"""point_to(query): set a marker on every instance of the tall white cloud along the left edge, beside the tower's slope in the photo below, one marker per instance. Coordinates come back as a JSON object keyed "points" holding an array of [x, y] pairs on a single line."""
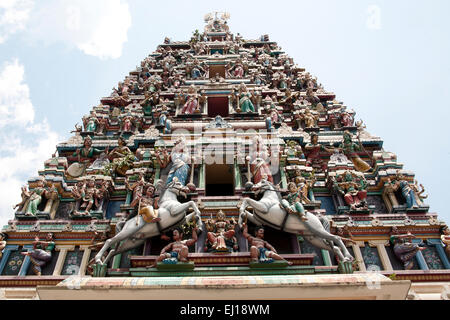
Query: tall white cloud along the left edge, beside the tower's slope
{"points": [[24, 143]]}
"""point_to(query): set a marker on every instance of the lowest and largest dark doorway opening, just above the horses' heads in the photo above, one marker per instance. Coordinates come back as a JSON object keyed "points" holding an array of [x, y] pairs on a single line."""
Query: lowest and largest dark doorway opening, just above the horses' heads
{"points": [[219, 180]]}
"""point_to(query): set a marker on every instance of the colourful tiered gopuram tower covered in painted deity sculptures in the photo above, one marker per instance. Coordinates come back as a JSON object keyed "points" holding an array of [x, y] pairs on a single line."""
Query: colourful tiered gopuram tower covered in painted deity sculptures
{"points": [[167, 184]]}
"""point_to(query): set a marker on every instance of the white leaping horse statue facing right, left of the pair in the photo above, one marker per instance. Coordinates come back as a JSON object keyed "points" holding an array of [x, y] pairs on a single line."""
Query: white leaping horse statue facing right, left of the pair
{"points": [[133, 232]]}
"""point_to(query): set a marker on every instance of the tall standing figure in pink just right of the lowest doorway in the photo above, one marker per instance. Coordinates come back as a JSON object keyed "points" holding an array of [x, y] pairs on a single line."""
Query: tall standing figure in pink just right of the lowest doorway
{"points": [[258, 157]]}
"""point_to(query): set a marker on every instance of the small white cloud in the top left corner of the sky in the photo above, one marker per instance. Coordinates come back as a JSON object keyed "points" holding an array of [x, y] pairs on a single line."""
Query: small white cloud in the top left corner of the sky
{"points": [[14, 15]]}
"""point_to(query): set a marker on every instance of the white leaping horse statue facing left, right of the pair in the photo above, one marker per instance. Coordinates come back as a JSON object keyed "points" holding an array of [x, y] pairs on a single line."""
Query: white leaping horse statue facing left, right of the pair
{"points": [[268, 211]]}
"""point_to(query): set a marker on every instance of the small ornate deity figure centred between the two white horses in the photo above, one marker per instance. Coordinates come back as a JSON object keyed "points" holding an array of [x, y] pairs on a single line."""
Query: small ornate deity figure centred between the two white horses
{"points": [[221, 231]]}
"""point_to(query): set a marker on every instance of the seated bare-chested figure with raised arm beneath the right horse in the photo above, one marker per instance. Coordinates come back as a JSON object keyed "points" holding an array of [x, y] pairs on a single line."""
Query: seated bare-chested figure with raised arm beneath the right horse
{"points": [[261, 251]]}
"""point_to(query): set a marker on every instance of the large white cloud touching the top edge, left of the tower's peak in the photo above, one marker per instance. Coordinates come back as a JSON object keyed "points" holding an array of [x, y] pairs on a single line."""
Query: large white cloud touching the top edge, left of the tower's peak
{"points": [[97, 28]]}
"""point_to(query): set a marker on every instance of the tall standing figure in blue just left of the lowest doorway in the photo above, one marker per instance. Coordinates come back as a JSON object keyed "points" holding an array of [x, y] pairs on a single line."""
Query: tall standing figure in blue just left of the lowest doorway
{"points": [[180, 159]]}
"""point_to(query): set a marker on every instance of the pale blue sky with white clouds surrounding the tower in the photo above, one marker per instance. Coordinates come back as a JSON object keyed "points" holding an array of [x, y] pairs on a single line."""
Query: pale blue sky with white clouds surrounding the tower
{"points": [[388, 60]]}
